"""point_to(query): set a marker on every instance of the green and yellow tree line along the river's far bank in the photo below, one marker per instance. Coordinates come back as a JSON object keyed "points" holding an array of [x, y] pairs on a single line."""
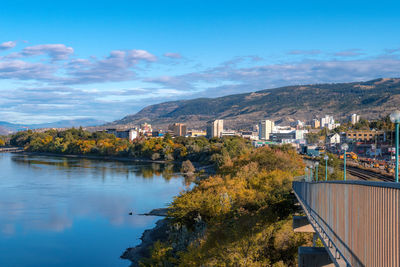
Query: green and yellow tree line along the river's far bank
{"points": [[80, 142]]}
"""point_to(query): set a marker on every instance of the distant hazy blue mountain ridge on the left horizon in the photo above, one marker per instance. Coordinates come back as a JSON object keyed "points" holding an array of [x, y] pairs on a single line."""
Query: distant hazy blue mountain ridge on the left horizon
{"points": [[7, 128]]}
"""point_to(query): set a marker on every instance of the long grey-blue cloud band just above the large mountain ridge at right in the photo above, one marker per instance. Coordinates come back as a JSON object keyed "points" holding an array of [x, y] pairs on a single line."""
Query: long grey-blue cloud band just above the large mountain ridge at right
{"points": [[228, 78]]}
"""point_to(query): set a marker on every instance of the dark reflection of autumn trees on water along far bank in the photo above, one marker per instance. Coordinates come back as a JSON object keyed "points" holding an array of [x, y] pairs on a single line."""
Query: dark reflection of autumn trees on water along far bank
{"points": [[103, 168]]}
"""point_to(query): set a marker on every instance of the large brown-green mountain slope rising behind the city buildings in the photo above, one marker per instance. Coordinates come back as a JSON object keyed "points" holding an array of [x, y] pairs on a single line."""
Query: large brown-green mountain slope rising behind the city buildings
{"points": [[370, 99]]}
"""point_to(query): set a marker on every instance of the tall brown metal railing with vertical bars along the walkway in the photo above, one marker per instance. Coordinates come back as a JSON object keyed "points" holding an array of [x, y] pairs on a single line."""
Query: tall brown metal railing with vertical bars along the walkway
{"points": [[359, 220]]}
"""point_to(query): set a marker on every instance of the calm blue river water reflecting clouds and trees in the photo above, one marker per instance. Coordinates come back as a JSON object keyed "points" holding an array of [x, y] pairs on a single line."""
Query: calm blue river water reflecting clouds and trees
{"points": [[57, 211]]}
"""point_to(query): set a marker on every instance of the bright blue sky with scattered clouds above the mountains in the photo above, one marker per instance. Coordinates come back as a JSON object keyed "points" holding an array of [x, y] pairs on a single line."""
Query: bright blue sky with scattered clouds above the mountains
{"points": [[107, 59]]}
